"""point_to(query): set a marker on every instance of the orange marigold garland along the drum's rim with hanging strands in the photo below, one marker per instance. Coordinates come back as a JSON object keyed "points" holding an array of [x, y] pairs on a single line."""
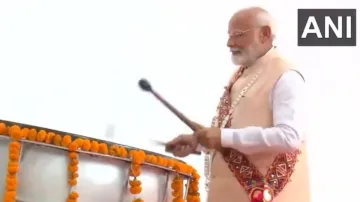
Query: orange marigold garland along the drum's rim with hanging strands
{"points": [[137, 157]]}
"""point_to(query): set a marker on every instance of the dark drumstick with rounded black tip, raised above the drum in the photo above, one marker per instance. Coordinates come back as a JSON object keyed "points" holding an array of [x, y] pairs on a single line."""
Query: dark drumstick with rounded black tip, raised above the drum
{"points": [[146, 86]]}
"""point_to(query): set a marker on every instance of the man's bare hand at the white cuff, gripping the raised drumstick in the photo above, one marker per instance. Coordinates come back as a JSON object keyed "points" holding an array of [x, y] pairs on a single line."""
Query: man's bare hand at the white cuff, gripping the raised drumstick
{"points": [[210, 138]]}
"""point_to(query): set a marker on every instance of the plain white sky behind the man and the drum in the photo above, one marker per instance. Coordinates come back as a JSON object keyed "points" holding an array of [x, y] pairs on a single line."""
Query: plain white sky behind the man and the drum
{"points": [[74, 66]]}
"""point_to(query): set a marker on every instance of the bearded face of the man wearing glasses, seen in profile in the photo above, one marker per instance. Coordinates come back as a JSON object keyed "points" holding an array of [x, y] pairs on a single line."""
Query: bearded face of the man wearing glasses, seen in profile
{"points": [[243, 41]]}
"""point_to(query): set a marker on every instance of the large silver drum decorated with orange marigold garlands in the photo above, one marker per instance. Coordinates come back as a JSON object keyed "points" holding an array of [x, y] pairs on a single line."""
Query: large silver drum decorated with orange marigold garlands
{"points": [[42, 165]]}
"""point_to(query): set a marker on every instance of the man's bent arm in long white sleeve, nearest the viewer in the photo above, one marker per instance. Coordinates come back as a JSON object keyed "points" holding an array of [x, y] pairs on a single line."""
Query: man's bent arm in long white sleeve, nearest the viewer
{"points": [[288, 104]]}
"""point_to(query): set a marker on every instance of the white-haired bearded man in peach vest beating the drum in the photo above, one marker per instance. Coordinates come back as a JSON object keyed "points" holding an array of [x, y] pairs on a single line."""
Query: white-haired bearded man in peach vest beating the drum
{"points": [[254, 144]]}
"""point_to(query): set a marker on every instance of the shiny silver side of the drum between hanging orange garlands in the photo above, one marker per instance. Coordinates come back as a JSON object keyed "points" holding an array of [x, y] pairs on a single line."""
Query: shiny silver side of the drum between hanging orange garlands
{"points": [[43, 176]]}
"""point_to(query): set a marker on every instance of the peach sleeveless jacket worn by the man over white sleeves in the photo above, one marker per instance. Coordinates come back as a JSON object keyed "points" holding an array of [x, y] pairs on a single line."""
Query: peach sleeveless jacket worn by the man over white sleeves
{"points": [[280, 177]]}
